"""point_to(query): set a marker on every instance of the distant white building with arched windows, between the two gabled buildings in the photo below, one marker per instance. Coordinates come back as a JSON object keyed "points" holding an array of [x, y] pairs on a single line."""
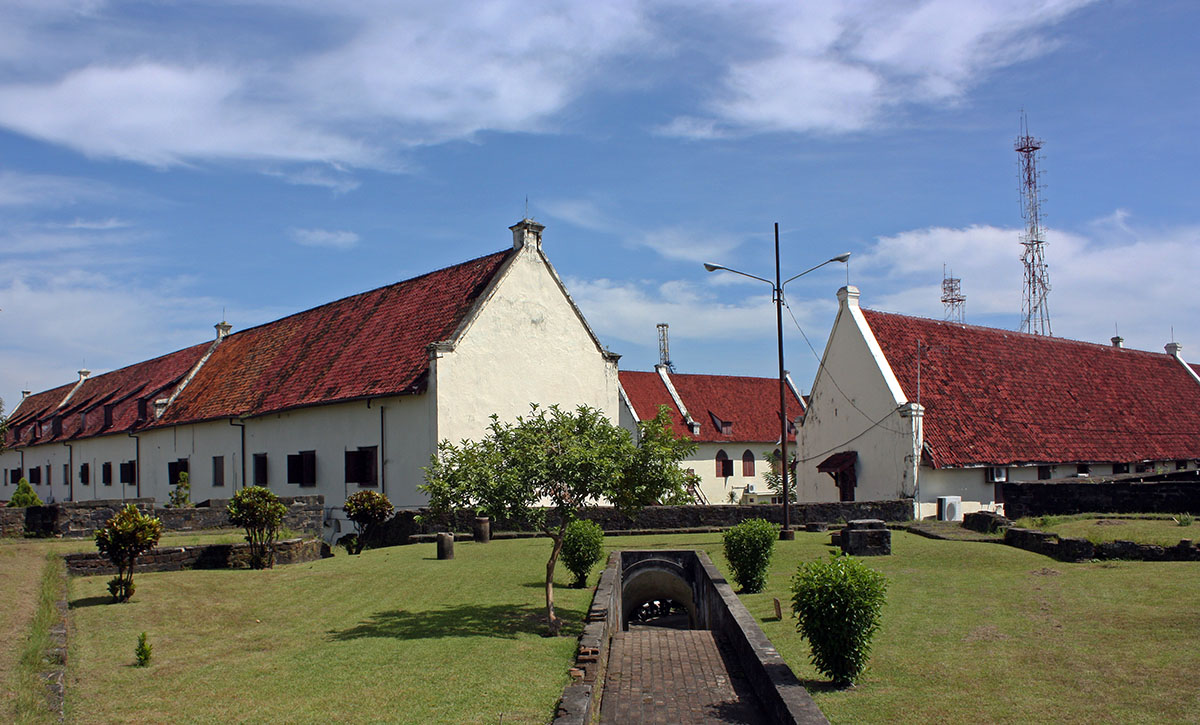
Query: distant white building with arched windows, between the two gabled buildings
{"points": [[734, 421]]}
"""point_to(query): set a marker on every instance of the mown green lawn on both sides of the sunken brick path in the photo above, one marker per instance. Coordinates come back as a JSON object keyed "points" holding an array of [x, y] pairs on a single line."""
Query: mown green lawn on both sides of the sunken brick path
{"points": [[973, 633]]}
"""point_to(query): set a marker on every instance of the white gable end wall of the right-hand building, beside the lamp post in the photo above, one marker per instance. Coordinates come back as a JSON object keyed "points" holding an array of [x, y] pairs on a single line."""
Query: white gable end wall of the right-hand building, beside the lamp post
{"points": [[857, 405]]}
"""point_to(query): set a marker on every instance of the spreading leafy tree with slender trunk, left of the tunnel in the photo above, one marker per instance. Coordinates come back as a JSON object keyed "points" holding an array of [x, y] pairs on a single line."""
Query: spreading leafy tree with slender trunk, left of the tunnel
{"points": [[566, 460]]}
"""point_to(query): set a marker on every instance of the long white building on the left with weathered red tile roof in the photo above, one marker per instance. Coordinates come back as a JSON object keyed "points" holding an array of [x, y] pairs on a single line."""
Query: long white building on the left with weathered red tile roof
{"points": [[350, 396]]}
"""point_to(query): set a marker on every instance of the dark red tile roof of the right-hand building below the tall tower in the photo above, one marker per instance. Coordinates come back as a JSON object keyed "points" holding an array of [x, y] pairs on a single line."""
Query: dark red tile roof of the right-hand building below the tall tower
{"points": [[999, 398]]}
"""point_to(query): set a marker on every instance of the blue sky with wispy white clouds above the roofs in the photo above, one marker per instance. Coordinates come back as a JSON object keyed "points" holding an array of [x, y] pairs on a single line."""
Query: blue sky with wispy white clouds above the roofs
{"points": [[163, 163]]}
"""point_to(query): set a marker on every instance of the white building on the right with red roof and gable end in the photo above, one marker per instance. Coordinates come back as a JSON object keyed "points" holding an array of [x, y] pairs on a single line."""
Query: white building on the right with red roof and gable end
{"points": [[911, 408]]}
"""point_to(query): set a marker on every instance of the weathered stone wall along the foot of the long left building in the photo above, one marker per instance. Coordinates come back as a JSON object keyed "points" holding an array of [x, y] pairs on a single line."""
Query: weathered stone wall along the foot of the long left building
{"points": [[83, 518]]}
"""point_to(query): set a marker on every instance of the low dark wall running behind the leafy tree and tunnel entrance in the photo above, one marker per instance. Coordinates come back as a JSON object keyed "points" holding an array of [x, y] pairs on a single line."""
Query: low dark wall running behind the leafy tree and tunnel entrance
{"points": [[405, 525]]}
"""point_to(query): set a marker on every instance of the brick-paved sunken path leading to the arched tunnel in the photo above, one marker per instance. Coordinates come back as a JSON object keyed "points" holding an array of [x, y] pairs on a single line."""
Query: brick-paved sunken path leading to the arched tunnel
{"points": [[674, 676]]}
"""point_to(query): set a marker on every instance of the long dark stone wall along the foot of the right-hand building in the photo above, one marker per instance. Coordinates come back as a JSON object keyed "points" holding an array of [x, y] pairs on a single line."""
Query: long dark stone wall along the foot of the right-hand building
{"points": [[1107, 498]]}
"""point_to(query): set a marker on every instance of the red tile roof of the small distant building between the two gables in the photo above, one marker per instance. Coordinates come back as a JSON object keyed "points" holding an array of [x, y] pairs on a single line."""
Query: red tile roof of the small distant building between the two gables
{"points": [[752, 405]]}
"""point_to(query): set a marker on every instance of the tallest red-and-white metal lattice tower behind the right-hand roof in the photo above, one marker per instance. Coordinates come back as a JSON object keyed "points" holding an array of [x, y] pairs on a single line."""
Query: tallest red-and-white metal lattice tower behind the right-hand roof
{"points": [[1035, 313]]}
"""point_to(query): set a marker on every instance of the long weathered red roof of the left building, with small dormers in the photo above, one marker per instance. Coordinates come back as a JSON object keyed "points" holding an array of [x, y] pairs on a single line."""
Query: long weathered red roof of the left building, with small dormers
{"points": [[363, 346]]}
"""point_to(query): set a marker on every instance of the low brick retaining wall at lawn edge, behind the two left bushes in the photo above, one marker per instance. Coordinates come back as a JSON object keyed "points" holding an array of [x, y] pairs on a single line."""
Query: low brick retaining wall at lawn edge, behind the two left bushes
{"points": [[209, 556]]}
